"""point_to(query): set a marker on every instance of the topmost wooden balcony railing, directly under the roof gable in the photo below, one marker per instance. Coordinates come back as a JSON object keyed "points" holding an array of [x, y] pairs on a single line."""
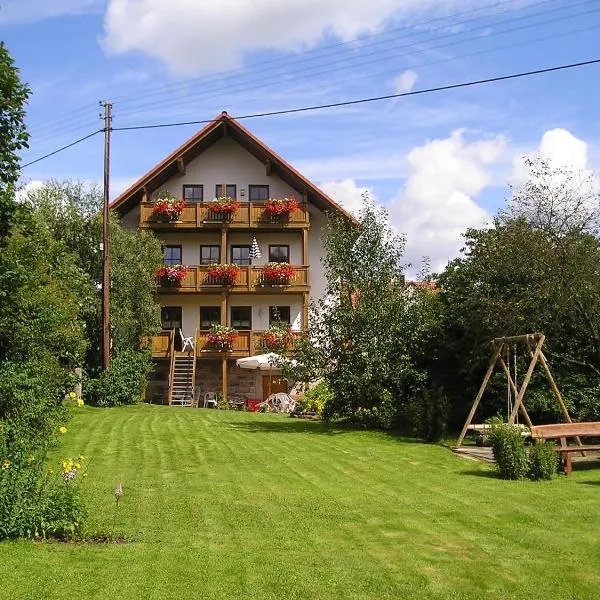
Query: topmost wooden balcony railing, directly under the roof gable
{"points": [[198, 216]]}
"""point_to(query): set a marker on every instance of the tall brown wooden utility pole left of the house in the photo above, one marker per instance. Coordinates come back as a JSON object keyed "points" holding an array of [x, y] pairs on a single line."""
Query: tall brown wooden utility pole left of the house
{"points": [[105, 241]]}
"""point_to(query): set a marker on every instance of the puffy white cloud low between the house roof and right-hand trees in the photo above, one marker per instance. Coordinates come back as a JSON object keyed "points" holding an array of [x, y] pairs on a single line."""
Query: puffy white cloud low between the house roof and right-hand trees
{"points": [[437, 202]]}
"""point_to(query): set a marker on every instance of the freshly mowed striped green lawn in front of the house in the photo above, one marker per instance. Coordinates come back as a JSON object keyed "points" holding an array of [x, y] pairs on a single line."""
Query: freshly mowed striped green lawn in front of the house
{"points": [[241, 505]]}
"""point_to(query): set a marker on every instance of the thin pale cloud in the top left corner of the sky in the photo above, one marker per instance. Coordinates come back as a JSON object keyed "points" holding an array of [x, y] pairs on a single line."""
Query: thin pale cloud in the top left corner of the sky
{"points": [[27, 11]]}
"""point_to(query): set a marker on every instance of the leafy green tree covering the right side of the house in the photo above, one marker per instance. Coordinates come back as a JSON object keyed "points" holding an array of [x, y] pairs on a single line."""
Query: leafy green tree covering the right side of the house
{"points": [[364, 335]]}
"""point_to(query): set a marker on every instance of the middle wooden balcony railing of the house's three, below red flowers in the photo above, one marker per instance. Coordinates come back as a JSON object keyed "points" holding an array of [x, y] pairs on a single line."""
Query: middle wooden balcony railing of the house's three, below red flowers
{"points": [[250, 279]]}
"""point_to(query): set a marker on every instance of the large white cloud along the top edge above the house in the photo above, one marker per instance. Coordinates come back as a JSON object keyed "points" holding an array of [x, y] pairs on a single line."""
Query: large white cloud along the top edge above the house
{"points": [[194, 37]]}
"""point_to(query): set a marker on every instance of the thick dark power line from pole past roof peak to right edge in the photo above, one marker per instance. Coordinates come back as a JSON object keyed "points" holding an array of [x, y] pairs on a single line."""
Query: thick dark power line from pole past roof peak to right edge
{"points": [[375, 98]]}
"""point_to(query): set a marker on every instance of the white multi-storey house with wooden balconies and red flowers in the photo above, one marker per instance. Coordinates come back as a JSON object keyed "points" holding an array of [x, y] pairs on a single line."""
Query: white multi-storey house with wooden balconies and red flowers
{"points": [[268, 217]]}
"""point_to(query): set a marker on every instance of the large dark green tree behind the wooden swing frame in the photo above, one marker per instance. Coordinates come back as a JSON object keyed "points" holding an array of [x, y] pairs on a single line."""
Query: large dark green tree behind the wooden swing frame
{"points": [[535, 270]]}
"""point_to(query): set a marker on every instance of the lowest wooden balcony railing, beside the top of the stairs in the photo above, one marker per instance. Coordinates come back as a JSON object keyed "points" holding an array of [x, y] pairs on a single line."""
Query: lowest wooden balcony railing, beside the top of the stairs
{"points": [[246, 343]]}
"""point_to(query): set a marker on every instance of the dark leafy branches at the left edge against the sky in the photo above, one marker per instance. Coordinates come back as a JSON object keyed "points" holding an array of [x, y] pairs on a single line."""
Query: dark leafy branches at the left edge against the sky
{"points": [[13, 135]]}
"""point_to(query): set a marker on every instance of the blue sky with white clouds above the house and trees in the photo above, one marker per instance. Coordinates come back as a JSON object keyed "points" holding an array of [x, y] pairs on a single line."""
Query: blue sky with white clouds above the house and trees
{"points": [[438, 162]]}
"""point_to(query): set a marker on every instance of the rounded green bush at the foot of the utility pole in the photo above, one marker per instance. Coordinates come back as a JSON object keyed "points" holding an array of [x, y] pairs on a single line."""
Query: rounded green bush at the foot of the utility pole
{"points": [[123, 383]]}
